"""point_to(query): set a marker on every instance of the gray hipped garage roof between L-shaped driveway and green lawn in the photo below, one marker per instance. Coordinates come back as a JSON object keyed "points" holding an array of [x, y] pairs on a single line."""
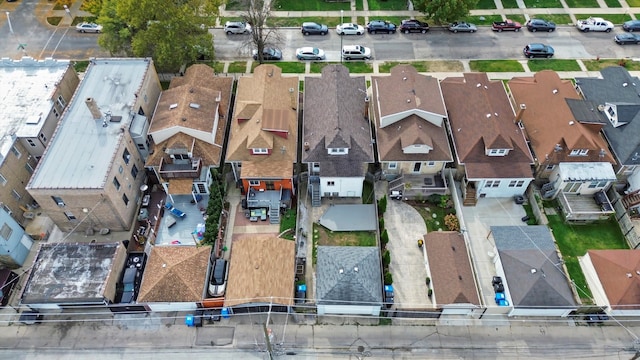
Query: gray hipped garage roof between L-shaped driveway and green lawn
{"points": [[532, 267]]}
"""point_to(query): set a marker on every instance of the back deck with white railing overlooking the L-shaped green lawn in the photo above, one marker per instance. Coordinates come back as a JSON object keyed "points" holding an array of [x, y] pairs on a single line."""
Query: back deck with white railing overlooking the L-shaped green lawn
{"points": [[585, 208]]}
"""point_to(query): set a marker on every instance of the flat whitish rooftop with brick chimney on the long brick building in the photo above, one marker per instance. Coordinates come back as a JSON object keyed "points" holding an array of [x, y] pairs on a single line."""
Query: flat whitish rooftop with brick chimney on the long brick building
{"points": [[82, 149]]}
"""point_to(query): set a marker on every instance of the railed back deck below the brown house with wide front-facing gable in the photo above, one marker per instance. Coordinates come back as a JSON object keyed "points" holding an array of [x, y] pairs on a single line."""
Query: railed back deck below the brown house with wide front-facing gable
{"points": [[419, 186]]}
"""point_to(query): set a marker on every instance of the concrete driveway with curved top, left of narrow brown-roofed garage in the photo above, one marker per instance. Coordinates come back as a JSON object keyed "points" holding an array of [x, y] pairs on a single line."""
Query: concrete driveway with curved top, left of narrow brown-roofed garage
{"points": [[405, 226]]}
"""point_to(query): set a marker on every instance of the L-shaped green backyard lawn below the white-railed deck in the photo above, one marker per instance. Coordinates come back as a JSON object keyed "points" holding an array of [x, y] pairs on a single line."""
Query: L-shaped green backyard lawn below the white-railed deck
{"points": [[576, 240]]}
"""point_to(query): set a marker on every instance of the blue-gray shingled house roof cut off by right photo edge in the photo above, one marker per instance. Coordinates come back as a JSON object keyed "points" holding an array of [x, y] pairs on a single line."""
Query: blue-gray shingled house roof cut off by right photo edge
{"points": [[624, 139]]}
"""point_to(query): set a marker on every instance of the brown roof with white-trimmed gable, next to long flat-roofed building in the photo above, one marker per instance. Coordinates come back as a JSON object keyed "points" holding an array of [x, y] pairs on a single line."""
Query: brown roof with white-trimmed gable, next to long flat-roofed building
{"points": [[192, 97]]}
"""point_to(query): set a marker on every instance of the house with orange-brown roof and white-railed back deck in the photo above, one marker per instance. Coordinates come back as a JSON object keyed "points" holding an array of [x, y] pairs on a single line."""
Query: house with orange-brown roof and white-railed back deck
{"points": [[563, 128]]}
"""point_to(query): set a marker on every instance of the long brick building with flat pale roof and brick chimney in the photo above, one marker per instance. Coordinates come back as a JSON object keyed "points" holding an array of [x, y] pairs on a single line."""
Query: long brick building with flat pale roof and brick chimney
{"points": [[89, 177]]}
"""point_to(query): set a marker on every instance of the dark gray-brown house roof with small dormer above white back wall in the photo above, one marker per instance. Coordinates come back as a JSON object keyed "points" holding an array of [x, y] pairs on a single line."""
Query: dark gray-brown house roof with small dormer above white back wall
{"points": [[334, 117]]}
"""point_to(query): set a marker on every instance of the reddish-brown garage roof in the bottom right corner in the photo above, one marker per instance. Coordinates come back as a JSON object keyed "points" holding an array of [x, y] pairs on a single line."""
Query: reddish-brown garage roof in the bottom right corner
{"points": [[617, 272]]}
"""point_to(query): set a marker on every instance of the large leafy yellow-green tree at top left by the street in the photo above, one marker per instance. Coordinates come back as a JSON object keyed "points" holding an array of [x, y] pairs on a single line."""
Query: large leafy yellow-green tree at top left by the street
{"points": [[172, 34]]}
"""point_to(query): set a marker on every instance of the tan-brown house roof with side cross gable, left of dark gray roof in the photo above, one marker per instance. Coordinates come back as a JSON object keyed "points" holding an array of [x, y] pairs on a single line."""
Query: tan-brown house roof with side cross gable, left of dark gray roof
{"points": [[267, 106]]}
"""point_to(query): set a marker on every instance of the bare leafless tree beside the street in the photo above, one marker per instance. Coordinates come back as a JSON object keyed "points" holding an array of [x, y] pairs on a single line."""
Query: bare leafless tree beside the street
{"points": [[261, 36]]}
